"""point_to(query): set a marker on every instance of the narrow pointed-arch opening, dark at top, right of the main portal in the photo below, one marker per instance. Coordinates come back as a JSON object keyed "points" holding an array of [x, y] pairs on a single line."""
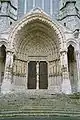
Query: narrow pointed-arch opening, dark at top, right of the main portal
{"points": [[72, 67]]}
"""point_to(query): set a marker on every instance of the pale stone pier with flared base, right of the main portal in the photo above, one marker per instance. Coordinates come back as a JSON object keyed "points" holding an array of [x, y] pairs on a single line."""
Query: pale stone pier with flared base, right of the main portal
{"points": [[66, 86]]}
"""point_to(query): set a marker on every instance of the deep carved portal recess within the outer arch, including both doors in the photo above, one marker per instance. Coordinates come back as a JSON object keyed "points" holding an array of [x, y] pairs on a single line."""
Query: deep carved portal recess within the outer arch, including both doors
{"points": [[37, 59]]}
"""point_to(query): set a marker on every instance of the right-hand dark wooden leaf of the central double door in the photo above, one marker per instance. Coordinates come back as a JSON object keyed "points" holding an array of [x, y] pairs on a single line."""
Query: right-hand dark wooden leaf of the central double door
{"points": [[43, 75]]}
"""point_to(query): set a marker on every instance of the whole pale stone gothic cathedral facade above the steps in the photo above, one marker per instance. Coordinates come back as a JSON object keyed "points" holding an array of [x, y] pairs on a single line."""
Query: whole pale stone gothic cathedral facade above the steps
{"points": [[40, 46]]}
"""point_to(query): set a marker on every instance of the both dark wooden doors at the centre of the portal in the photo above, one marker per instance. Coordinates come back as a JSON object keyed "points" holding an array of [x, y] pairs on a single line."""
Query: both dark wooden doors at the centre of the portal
{"points": [[42, 75]]}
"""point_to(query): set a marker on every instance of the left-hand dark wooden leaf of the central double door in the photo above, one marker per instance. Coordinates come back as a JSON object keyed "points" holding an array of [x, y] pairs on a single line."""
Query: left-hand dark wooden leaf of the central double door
{"points": [[32, 75]]}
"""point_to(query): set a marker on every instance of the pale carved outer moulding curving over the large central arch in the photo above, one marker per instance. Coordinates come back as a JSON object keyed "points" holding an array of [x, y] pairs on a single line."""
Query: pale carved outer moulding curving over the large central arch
{"points": [[31, 18]]}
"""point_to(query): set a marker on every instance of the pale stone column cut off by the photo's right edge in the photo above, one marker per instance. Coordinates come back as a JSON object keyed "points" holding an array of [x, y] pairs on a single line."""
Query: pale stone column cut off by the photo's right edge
{"points": [[78, 70]]}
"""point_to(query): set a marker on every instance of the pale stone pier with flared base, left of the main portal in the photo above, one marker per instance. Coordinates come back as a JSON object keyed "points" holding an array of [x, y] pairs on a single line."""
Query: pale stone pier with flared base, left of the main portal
{"points": [[6, 85]]}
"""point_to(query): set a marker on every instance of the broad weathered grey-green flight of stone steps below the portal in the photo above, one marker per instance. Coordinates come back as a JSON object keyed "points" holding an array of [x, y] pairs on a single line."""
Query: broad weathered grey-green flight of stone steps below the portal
{"points": [[22, 104]]}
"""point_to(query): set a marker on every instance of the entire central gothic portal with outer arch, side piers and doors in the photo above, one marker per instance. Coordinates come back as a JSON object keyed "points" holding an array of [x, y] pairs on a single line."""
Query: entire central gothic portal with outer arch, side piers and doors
{"points": [[36, 46]]}
